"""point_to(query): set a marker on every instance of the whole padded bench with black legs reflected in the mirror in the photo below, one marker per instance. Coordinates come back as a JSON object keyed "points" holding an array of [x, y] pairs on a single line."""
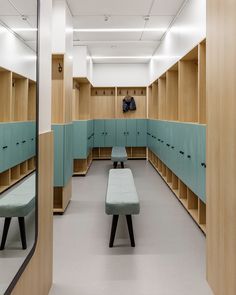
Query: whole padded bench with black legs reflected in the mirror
{"points": [[18, 202]]}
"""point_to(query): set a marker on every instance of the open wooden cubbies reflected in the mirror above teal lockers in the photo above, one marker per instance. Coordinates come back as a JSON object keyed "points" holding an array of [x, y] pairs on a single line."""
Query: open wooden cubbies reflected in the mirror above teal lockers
{"points": [[17, 97]]}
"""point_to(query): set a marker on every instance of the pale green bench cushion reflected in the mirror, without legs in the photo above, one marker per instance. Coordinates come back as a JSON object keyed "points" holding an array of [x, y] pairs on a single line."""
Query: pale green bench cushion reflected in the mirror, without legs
{"points": [[19, 201]]}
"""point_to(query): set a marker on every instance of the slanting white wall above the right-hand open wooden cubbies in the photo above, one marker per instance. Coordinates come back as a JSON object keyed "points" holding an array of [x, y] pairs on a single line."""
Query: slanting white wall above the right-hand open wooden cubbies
{"points": [[188, 30]]}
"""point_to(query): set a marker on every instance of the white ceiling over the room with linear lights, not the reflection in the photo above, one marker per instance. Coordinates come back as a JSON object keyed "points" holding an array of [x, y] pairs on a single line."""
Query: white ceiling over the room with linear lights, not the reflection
{"points": [[90, 14]]}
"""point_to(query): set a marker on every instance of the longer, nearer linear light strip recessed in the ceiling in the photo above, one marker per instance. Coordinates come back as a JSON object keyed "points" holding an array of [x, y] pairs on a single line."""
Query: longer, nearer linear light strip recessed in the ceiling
{"points": [[124, 30]]}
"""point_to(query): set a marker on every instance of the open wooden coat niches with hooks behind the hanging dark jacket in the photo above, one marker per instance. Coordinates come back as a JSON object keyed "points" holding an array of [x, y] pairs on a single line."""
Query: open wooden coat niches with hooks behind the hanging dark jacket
{"points": [[106, 102]]}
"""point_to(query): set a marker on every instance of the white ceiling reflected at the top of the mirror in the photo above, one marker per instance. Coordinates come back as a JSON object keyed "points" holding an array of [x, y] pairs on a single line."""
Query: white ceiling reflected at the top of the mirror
{"points": [[20, 14]]}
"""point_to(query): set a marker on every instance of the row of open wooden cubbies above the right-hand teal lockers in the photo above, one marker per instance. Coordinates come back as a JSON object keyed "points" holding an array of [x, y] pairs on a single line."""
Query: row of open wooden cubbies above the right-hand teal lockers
{"points": [[180, 93]]}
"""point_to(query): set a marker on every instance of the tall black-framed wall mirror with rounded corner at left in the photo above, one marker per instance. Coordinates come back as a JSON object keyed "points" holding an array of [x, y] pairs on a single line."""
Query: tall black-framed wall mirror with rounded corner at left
{"points": [[18, 140]]}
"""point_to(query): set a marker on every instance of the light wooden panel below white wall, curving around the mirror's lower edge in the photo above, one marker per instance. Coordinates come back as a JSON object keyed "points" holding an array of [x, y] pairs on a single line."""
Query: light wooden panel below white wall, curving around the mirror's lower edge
{"points": [[37, 277]]}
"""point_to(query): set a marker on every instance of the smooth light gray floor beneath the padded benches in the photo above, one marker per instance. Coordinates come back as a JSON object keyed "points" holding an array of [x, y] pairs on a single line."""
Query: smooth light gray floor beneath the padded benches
{"points": [[169, 258]]}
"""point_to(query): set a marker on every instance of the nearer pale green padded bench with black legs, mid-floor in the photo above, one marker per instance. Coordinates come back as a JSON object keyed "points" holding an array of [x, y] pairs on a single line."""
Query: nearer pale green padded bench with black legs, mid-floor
{"points": [[121, 199]]}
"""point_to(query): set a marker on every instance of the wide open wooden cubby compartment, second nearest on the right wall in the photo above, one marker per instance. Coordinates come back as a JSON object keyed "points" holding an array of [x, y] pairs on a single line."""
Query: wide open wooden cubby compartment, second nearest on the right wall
{"points": [[188, 87]]}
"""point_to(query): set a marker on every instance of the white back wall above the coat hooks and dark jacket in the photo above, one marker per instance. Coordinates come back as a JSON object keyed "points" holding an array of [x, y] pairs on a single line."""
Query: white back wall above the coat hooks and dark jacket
{"points": [[120, 75]]}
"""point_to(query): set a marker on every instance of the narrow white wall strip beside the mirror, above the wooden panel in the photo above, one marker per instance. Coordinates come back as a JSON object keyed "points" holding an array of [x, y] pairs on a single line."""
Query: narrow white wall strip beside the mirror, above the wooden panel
{"points": [[45, 52]]}
